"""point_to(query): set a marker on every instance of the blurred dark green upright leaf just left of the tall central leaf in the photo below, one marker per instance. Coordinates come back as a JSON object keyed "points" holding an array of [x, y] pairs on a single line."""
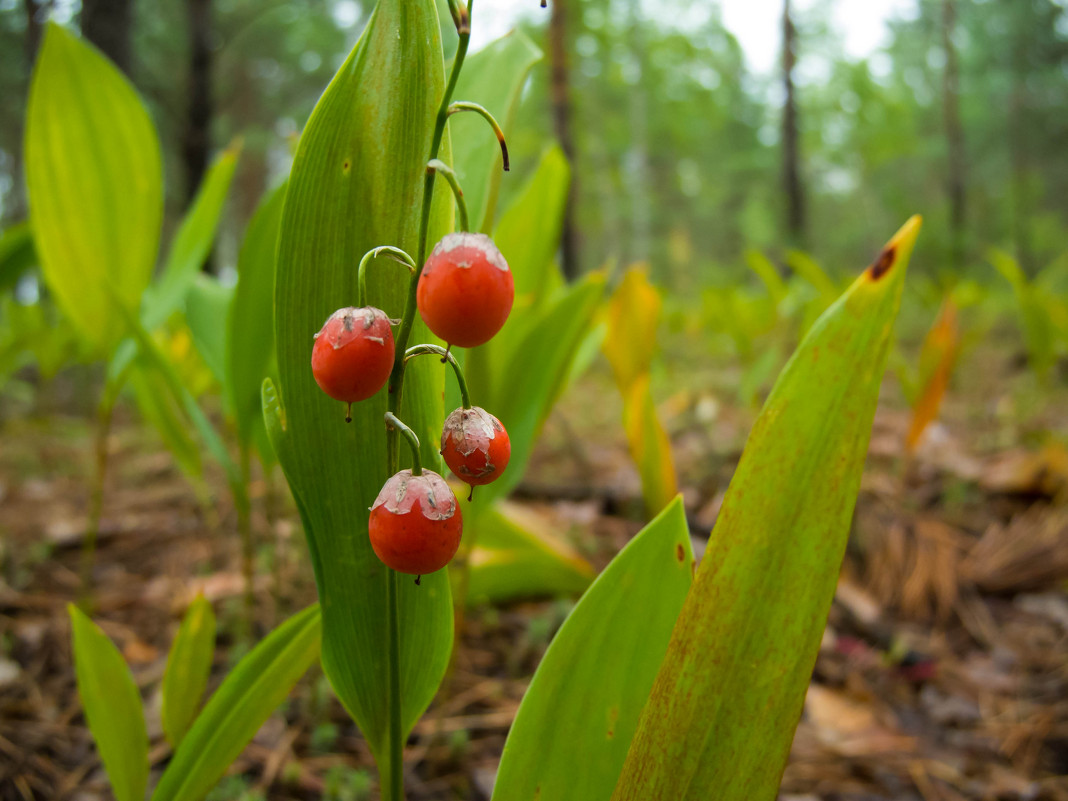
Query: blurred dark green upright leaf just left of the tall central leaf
{"points": [[250, 343]]}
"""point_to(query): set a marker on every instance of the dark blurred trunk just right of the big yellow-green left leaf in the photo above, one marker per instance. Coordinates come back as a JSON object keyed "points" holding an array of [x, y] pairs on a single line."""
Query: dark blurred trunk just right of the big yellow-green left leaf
{"points": [[197, 145]]}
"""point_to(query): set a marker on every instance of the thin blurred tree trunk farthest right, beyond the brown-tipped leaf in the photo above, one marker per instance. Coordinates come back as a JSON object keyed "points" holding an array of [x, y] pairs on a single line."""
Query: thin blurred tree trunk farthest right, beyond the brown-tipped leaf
{"points": [[954, 138]]}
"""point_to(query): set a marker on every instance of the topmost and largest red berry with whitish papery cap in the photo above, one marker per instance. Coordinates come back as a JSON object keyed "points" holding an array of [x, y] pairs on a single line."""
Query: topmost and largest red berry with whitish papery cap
{"points": [[466, 290]]}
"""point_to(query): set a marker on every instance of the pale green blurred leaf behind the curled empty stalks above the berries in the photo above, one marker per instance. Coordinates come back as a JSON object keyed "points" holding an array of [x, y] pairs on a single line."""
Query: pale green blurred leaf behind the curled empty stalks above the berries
{"points": [[494, 78]]}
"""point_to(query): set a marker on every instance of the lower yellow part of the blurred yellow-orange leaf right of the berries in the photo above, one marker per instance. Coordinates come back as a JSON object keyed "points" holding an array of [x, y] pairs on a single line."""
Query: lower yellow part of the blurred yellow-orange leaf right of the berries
{"points": [[650, 446]]}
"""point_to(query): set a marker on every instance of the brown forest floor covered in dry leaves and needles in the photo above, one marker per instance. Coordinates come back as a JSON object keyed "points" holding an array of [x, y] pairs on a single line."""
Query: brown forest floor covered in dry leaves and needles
{"points": [[944, 674]]}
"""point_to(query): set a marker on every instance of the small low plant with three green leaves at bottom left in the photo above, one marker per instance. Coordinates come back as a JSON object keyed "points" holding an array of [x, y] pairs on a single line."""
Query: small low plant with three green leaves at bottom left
{"points": [[205, 744]]}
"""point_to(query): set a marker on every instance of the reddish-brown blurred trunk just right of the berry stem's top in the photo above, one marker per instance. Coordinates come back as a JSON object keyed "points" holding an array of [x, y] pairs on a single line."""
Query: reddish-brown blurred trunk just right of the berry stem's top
{"points": [[561, 102]]}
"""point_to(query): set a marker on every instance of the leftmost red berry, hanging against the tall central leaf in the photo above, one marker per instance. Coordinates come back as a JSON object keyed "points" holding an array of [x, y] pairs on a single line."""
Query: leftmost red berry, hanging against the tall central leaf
{"points": [[354, 354]]}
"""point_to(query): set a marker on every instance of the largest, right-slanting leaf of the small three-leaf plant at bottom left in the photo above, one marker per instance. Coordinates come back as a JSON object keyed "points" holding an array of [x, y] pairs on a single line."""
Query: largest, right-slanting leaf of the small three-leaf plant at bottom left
{"points": [[246, 699]]}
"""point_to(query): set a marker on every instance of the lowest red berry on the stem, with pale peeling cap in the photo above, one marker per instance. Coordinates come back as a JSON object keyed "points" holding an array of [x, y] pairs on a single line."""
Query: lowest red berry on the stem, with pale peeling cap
{"points": [[416, 524]]}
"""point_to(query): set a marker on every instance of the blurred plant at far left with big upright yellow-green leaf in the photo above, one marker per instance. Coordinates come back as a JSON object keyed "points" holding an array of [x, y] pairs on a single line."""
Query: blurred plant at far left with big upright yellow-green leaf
{"points": [[95, 179]]}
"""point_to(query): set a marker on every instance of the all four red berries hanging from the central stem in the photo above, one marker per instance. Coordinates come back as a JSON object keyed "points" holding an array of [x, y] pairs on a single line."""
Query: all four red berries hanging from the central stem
{"points": [[464, 296]]}
